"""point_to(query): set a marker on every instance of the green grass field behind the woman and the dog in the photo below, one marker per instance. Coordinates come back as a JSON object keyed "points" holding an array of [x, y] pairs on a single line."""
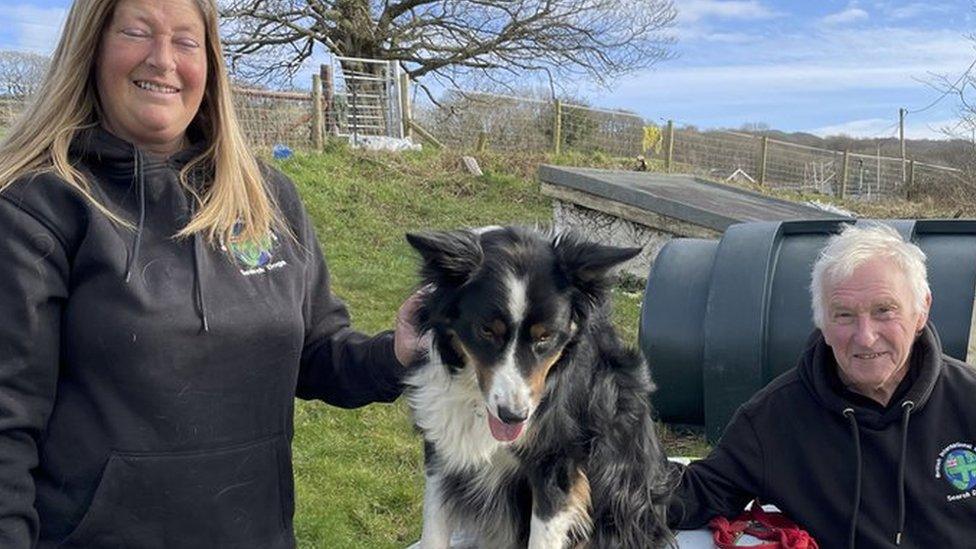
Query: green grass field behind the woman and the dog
{"points": [[358, 473]]}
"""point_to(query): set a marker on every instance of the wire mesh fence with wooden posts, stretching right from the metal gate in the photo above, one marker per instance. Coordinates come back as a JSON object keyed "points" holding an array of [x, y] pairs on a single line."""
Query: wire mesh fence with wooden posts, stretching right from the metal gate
{"points": [[477, 121]]}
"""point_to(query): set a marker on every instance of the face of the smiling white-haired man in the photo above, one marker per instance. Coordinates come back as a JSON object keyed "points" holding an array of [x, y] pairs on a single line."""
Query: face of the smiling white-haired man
{"points": [[871, 324]]}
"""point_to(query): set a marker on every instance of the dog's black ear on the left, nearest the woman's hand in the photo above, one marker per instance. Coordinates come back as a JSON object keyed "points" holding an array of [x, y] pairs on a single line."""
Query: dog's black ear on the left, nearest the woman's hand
{"points": [[450, 257]]}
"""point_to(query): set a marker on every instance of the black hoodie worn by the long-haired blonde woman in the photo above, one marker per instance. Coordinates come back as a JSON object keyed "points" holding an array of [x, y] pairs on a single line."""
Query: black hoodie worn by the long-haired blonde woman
{"points": [[147, 383]]}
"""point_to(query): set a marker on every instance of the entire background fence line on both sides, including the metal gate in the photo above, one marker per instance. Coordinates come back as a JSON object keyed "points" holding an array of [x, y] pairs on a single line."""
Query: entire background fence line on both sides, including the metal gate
{"points": [[360, 97]]}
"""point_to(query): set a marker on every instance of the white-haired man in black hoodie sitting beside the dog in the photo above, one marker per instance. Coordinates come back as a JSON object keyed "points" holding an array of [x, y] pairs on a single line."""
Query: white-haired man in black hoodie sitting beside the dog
{"points": [[871, 440]]}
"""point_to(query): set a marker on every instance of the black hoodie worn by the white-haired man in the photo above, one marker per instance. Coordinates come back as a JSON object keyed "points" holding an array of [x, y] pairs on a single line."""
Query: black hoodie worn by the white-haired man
{"points": [[835, 461]]}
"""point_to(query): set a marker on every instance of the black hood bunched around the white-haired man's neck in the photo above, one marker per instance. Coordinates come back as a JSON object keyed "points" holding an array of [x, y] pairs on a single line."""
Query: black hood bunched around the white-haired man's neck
{"points": [[817, 365]]}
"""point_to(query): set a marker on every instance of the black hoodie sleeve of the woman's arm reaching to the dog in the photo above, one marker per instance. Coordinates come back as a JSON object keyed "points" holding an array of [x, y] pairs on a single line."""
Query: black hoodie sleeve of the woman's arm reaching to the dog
{"points": [[339, 365]]}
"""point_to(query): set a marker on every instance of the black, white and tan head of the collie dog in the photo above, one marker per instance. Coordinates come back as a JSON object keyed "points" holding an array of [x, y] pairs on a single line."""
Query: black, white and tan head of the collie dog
{"points": [[506, 302]]}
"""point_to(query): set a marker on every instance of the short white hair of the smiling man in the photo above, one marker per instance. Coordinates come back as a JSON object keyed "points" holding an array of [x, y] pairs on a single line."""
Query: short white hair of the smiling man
{"points": [[857, 245]]}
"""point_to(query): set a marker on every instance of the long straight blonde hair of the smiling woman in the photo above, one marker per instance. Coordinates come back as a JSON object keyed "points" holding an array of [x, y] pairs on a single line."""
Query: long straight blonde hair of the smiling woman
{"points": [[67, 103]]}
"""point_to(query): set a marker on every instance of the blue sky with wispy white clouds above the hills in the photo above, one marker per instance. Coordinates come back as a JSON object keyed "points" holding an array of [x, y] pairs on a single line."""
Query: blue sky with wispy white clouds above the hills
{"points": [[820, 66]]}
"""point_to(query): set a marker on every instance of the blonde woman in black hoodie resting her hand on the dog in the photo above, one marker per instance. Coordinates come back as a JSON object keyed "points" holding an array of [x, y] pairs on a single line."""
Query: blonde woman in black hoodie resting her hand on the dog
{"points": [[164, 300]]}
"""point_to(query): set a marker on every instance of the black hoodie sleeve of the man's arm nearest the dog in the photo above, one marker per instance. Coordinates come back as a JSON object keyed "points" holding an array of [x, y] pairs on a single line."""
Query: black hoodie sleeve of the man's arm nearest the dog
{"points": [[722, 483]]}
